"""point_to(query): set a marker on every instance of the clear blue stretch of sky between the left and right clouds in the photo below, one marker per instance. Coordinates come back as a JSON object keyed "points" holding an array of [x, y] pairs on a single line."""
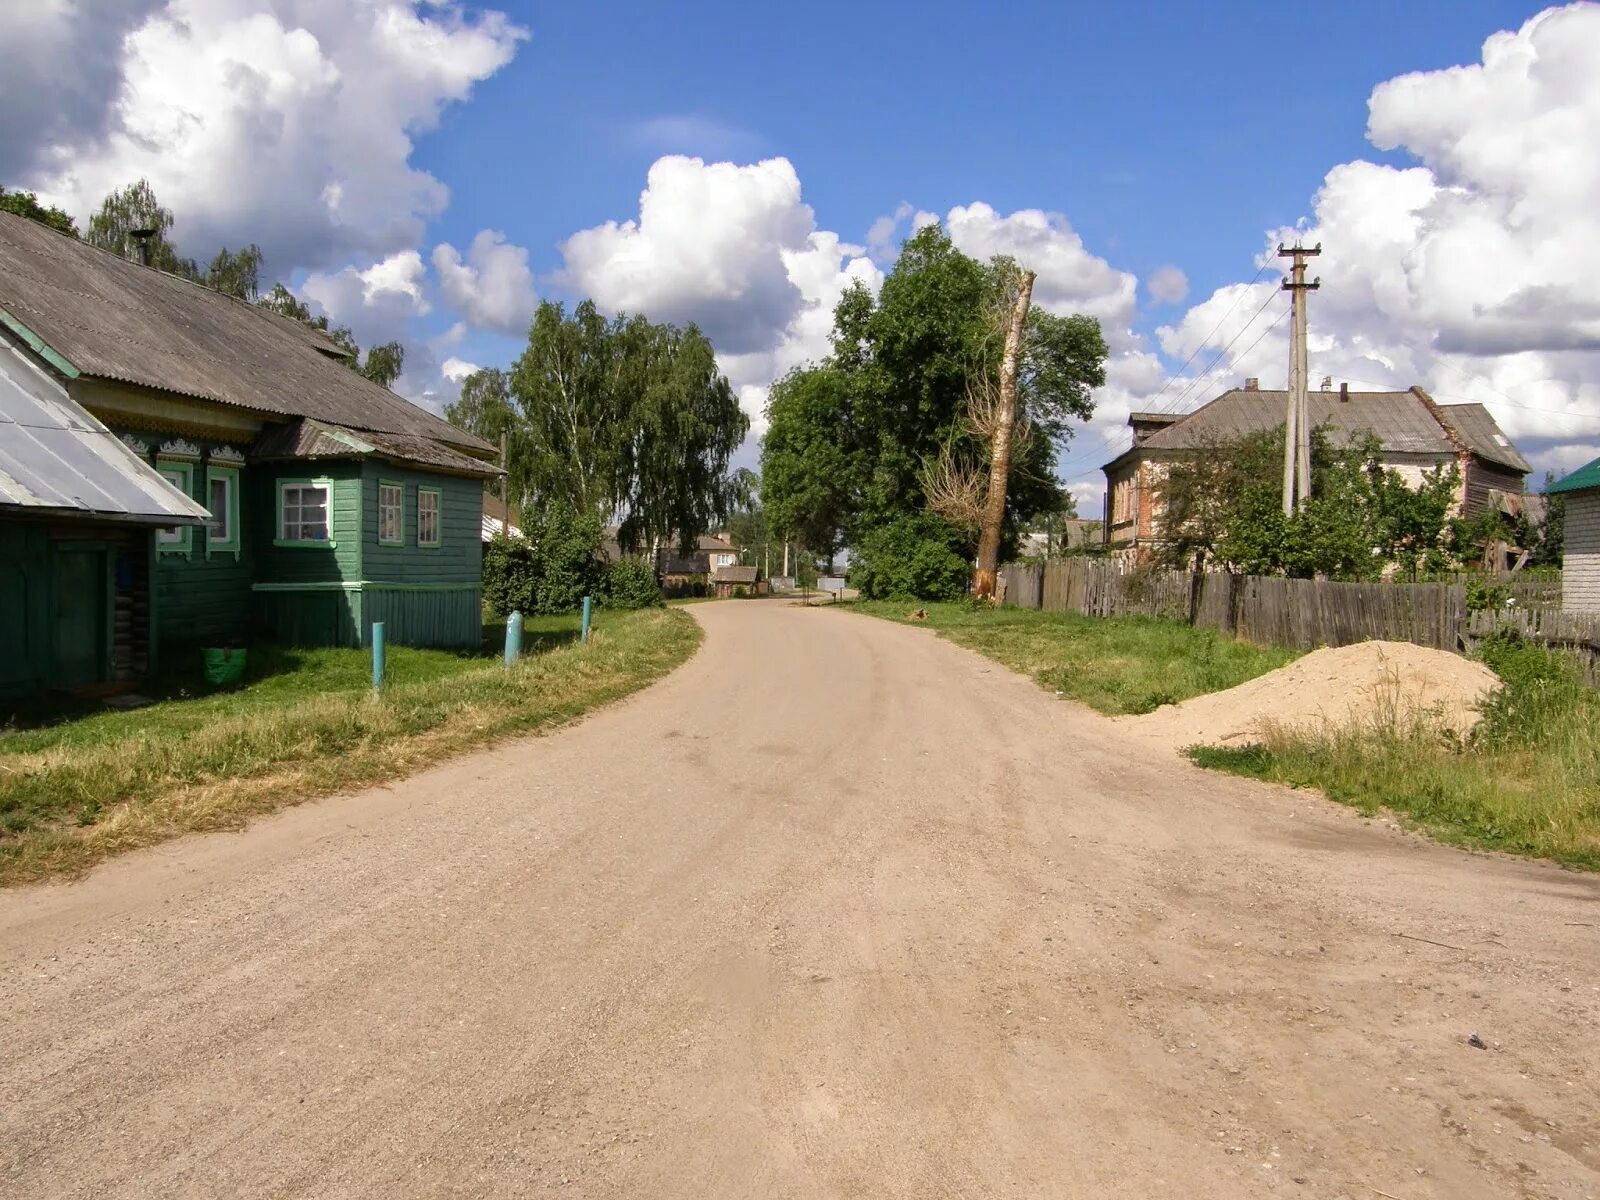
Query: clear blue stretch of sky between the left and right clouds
{"points": [[1167, 134]]}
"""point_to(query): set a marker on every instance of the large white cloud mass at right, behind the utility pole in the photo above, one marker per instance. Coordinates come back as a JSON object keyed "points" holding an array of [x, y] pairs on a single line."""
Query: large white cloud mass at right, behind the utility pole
{"points": [[1476, 271]]}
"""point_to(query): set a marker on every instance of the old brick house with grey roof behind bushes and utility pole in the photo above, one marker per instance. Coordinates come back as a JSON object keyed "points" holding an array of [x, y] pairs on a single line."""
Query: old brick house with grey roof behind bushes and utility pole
{"points": [[1415, 431]]}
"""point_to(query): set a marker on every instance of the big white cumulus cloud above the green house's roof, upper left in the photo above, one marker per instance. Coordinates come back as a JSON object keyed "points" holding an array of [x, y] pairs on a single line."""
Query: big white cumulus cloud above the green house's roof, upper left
{"points": [[274, 122]]}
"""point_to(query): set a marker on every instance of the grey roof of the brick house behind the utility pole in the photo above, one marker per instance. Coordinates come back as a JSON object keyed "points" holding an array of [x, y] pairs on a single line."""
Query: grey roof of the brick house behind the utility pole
{"points": [[1401, 420]]}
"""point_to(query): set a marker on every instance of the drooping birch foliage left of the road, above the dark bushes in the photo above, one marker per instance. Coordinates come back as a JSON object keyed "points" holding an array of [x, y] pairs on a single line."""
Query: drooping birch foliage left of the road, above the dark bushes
{"points": [[625, 418]]}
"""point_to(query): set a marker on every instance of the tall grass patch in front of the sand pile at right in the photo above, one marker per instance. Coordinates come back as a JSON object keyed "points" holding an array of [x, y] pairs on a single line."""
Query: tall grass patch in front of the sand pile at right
{"points": [[1527, 782]]}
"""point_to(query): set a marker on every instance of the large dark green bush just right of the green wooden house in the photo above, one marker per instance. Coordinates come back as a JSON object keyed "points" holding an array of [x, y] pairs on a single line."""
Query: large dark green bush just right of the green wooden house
{"points": [[550, 570]]}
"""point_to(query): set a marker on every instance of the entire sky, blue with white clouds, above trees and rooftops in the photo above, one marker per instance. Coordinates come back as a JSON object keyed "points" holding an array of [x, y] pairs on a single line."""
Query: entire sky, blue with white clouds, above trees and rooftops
{"points": [[426, 172]]}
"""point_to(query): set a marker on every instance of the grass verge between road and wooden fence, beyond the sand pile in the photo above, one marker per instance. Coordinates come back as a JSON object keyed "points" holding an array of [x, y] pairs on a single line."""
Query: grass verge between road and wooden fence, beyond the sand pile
{"points": [[1126, 665]]}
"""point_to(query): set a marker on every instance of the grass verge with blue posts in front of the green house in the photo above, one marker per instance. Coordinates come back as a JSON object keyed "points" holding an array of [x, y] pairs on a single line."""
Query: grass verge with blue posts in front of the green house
{"points": [[78, 791]]}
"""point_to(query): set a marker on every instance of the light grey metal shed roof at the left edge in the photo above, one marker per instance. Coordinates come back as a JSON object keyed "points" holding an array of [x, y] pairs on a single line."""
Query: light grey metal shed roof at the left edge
{"points": [[58, 458]]}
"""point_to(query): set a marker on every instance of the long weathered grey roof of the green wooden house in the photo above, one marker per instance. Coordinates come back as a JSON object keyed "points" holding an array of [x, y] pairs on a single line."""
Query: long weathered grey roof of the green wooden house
{"points": [[119, 321]]}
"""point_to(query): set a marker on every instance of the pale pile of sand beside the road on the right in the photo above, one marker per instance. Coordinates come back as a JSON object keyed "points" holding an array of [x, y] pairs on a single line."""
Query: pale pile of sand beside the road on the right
{"points": [[1369, 684]]}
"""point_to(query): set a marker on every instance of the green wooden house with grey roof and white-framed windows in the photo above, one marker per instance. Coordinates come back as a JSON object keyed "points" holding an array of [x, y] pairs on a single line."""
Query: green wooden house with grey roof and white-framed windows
{"points": [[329, 503]]}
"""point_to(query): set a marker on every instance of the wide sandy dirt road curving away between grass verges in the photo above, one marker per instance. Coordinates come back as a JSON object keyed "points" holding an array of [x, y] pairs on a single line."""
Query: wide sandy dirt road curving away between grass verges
{"points": [[836, 911]]}
